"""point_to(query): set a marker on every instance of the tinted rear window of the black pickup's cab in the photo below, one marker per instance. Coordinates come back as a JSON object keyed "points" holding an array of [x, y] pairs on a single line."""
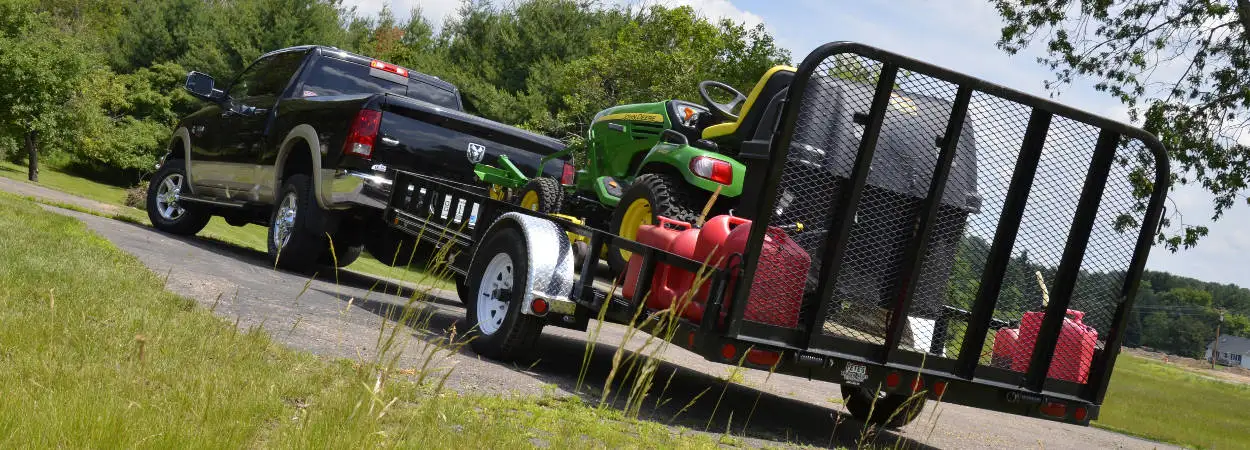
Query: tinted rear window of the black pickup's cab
{"points": [[334, 77]]}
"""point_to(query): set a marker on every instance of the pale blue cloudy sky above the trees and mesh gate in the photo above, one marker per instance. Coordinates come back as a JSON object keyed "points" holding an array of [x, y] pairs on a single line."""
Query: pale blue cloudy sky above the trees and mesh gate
{"points": [[959, 36]]}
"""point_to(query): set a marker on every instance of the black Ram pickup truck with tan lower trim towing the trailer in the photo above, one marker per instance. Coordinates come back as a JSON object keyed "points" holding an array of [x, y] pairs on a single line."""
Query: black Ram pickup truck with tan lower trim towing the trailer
{"points": [[302, 143]]}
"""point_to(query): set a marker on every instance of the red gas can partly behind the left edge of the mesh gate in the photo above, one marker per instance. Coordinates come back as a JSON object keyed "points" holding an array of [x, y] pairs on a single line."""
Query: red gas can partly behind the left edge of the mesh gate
{"points": [[777, 293]]}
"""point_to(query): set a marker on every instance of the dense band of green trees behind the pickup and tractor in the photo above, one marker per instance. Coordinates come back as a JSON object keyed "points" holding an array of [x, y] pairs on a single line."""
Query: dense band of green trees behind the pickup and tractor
{"points": [[542, 64]]}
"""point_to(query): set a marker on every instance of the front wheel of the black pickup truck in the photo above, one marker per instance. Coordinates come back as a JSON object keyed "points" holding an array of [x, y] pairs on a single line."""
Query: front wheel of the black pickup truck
{"points": [[164, 209]]}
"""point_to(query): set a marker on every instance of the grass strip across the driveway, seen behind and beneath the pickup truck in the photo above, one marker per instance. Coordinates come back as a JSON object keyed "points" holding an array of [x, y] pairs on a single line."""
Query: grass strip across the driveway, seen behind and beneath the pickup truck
{"points": [[249, 237]]}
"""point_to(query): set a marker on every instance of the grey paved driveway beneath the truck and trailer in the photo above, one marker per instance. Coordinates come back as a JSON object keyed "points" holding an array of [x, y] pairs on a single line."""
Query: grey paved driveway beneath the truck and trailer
{"points": [[343, 318]]}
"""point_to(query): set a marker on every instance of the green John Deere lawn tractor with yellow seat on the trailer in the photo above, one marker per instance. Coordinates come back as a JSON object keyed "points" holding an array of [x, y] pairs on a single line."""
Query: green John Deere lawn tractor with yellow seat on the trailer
{"points": [[644, 161]]}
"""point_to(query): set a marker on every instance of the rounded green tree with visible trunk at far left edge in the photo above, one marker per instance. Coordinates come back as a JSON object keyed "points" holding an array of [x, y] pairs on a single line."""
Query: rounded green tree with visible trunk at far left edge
{"points": [[41, 71]]}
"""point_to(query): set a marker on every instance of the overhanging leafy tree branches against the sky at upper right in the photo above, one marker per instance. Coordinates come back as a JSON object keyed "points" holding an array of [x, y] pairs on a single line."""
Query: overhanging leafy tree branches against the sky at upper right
{"points": [[1182, 68]]}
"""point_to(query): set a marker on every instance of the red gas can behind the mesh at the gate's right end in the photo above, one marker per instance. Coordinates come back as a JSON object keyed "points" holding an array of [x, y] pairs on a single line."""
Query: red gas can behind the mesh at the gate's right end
{"points": [[1073, 353]]}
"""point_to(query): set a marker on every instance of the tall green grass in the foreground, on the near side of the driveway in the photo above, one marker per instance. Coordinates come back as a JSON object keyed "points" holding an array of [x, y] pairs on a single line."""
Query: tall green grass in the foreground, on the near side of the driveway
{"points": [[137, 367]]}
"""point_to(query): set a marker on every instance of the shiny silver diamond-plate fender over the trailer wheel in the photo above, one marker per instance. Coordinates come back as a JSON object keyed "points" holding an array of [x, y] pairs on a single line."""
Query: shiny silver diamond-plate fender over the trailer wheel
{"points": [[549, 257]]}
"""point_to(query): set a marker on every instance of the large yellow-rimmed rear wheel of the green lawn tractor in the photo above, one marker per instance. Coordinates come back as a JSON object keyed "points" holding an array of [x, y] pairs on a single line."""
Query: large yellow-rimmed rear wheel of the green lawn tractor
{"points": [[651, 196]]}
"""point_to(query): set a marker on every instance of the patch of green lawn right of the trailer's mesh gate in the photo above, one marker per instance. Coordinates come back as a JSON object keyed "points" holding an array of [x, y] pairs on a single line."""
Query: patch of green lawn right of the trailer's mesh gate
{"points": [[1169, 404]]}
